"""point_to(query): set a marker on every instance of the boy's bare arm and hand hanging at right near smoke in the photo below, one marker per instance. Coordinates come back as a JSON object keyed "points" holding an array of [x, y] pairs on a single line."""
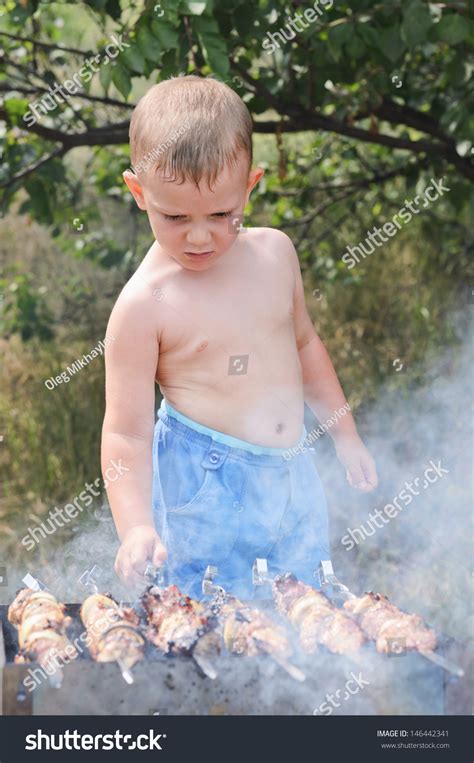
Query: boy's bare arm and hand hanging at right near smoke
{"points": [[324, 394]]}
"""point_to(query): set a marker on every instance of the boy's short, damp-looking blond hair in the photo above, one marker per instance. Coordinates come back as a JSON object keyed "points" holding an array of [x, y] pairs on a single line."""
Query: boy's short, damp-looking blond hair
{"points": [[190, 128]]}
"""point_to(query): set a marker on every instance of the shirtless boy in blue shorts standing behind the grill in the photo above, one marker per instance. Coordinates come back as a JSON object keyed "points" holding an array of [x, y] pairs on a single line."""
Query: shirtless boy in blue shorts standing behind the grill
{"points": [[216, 315]]}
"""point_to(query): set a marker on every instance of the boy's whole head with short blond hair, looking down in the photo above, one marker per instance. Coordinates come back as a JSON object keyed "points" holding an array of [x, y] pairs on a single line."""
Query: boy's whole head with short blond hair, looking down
{"points": [[191, 151]]}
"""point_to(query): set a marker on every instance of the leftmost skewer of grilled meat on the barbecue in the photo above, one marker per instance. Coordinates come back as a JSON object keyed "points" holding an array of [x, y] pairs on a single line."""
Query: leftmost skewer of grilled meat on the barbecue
{"points": [[41, 624]]}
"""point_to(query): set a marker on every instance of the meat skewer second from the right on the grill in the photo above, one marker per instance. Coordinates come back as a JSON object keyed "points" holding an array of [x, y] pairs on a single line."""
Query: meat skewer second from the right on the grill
{"points": [[316, 619]]}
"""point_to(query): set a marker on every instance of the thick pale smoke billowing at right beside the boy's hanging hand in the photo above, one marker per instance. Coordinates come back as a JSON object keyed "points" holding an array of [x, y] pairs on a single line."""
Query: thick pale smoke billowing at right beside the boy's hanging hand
{"points": [[421, 558]]}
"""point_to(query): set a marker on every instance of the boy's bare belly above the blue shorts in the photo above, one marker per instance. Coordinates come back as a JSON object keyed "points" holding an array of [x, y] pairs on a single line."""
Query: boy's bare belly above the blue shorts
{"points": [[255, 396]]}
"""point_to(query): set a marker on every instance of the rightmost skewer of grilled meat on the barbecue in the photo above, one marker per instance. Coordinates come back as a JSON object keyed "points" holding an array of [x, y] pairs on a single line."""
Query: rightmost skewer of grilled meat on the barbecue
{"points": [[382, 621]]}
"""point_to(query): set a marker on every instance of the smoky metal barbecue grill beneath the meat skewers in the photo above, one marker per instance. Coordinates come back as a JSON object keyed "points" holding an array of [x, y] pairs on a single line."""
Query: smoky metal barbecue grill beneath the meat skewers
{"points": [[404, 684]]}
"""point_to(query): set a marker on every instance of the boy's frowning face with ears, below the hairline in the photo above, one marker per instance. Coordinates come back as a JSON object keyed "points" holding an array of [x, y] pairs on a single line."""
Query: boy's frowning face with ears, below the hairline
{"points": [[195, 226]]}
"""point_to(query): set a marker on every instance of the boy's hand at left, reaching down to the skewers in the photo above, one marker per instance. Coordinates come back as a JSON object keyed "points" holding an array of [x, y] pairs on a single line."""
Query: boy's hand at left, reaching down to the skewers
{"points": [[140, 546]]}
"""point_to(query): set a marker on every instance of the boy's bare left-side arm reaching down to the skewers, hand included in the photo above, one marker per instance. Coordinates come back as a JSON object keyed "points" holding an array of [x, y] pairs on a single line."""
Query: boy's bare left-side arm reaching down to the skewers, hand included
{"points": [[127, 433]]}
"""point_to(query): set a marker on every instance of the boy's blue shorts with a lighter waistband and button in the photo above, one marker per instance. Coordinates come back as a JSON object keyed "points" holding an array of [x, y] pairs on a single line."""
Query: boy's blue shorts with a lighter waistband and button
{"points": [[222, 501]]}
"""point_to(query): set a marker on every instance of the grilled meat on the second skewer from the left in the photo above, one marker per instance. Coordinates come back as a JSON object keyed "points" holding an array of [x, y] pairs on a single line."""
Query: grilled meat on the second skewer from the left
{"points": [[113, 631]]}
